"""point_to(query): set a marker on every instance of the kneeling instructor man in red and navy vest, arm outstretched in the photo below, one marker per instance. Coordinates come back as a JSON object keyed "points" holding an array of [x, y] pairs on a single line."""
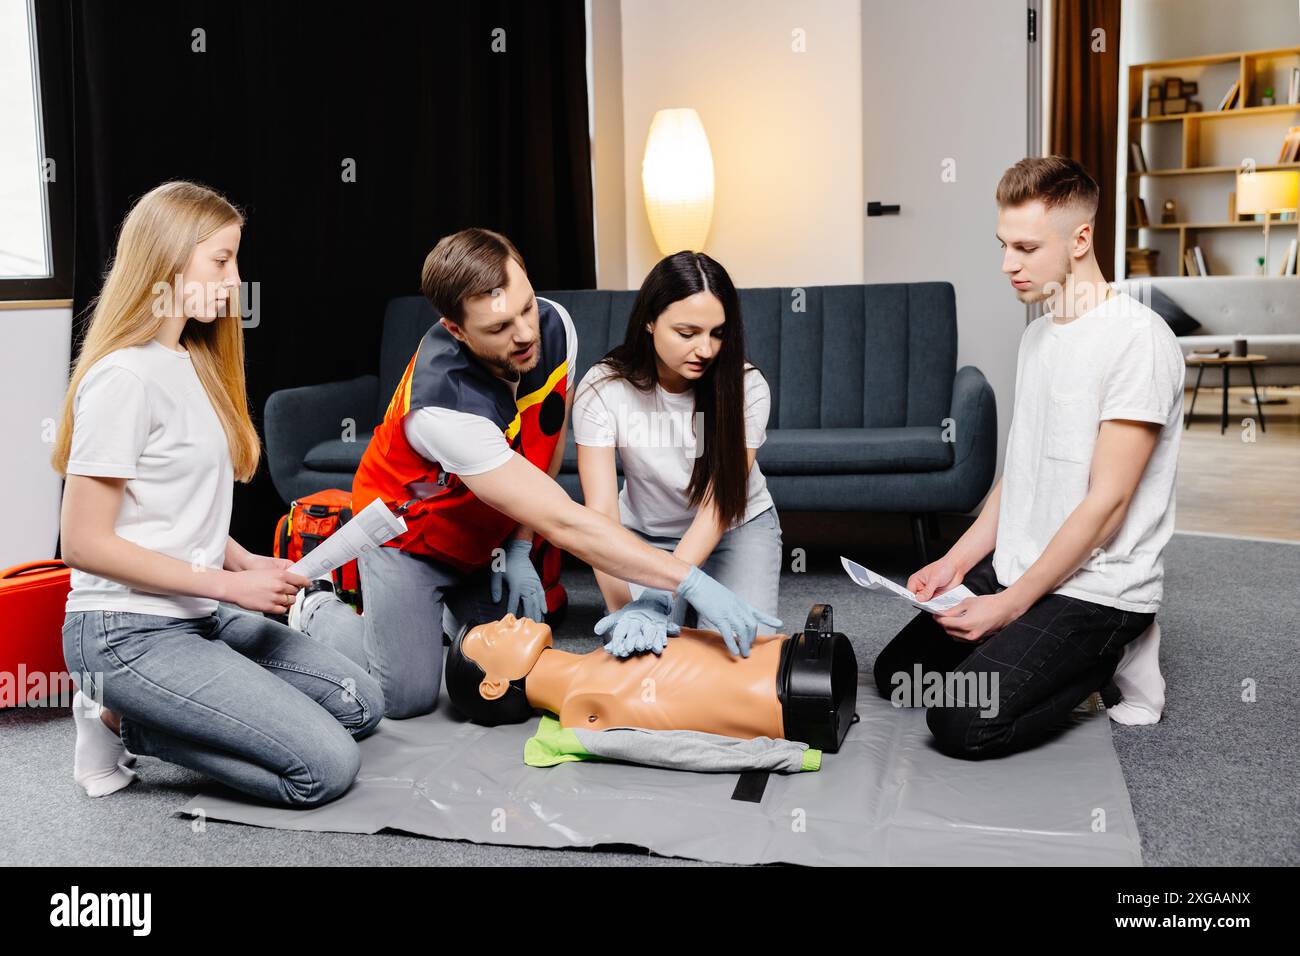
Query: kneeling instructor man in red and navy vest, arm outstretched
{"points": [[469, 452]]}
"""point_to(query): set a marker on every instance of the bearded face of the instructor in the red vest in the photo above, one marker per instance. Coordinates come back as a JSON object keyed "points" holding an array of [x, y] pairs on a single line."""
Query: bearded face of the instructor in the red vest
{"points": [[502, 330]]}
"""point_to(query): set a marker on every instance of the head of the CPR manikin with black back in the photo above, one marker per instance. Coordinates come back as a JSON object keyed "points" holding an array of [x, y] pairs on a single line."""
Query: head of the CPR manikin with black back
{"points": [[487, 668]]}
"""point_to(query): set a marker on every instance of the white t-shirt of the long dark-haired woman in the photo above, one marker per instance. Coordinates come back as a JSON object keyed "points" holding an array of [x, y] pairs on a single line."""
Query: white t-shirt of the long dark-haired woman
{"points": [[656, 436]]}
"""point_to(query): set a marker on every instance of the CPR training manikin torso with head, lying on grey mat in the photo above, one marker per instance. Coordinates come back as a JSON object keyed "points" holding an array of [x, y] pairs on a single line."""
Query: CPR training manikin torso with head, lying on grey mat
{"points": [[799, 689]]}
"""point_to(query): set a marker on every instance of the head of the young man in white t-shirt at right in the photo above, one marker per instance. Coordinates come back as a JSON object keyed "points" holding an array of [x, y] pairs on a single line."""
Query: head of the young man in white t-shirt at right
{"points": [[1047, 209]]}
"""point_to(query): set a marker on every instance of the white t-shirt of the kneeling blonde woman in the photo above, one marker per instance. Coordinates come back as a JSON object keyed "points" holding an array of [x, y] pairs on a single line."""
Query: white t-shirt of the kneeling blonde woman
{"points": [[142, 414]]}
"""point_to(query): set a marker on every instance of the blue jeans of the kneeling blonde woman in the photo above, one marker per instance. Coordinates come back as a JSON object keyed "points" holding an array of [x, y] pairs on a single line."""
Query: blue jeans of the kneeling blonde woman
{"points": [[237, 697]]}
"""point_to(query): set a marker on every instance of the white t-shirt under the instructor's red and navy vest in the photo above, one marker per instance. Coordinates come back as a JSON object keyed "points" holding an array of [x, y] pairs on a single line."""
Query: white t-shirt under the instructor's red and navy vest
{"points": [[466, 444]]}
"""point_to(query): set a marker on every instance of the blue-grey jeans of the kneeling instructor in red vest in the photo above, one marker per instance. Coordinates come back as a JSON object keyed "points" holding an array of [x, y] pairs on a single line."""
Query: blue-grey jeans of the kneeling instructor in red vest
{"points": [[410, 602]]}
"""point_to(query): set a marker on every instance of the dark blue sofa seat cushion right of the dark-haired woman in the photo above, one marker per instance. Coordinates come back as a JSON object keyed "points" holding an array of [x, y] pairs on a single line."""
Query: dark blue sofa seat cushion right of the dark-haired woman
{"points": [[855, 451]]}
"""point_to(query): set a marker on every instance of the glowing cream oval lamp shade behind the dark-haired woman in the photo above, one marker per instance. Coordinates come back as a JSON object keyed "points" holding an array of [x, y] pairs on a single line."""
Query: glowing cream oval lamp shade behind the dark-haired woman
{"points": [[678, 181]]}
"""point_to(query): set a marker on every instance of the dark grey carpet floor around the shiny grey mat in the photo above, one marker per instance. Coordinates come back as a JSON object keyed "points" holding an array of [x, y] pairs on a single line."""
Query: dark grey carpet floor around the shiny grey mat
{"points": [[1216, 782]]}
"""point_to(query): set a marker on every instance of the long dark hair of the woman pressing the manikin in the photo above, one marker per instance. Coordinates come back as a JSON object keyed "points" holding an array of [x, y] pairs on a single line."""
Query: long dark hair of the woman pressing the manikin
{"points": [[722, 468]]}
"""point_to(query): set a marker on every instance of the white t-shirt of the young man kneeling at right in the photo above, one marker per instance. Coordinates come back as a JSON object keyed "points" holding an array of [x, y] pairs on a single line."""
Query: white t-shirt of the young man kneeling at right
{"points": [[1120, 361]]}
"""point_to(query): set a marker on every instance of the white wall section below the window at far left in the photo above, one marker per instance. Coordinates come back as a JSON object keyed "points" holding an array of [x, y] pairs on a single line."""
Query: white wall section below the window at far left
{"points": [[34, 361]]}
